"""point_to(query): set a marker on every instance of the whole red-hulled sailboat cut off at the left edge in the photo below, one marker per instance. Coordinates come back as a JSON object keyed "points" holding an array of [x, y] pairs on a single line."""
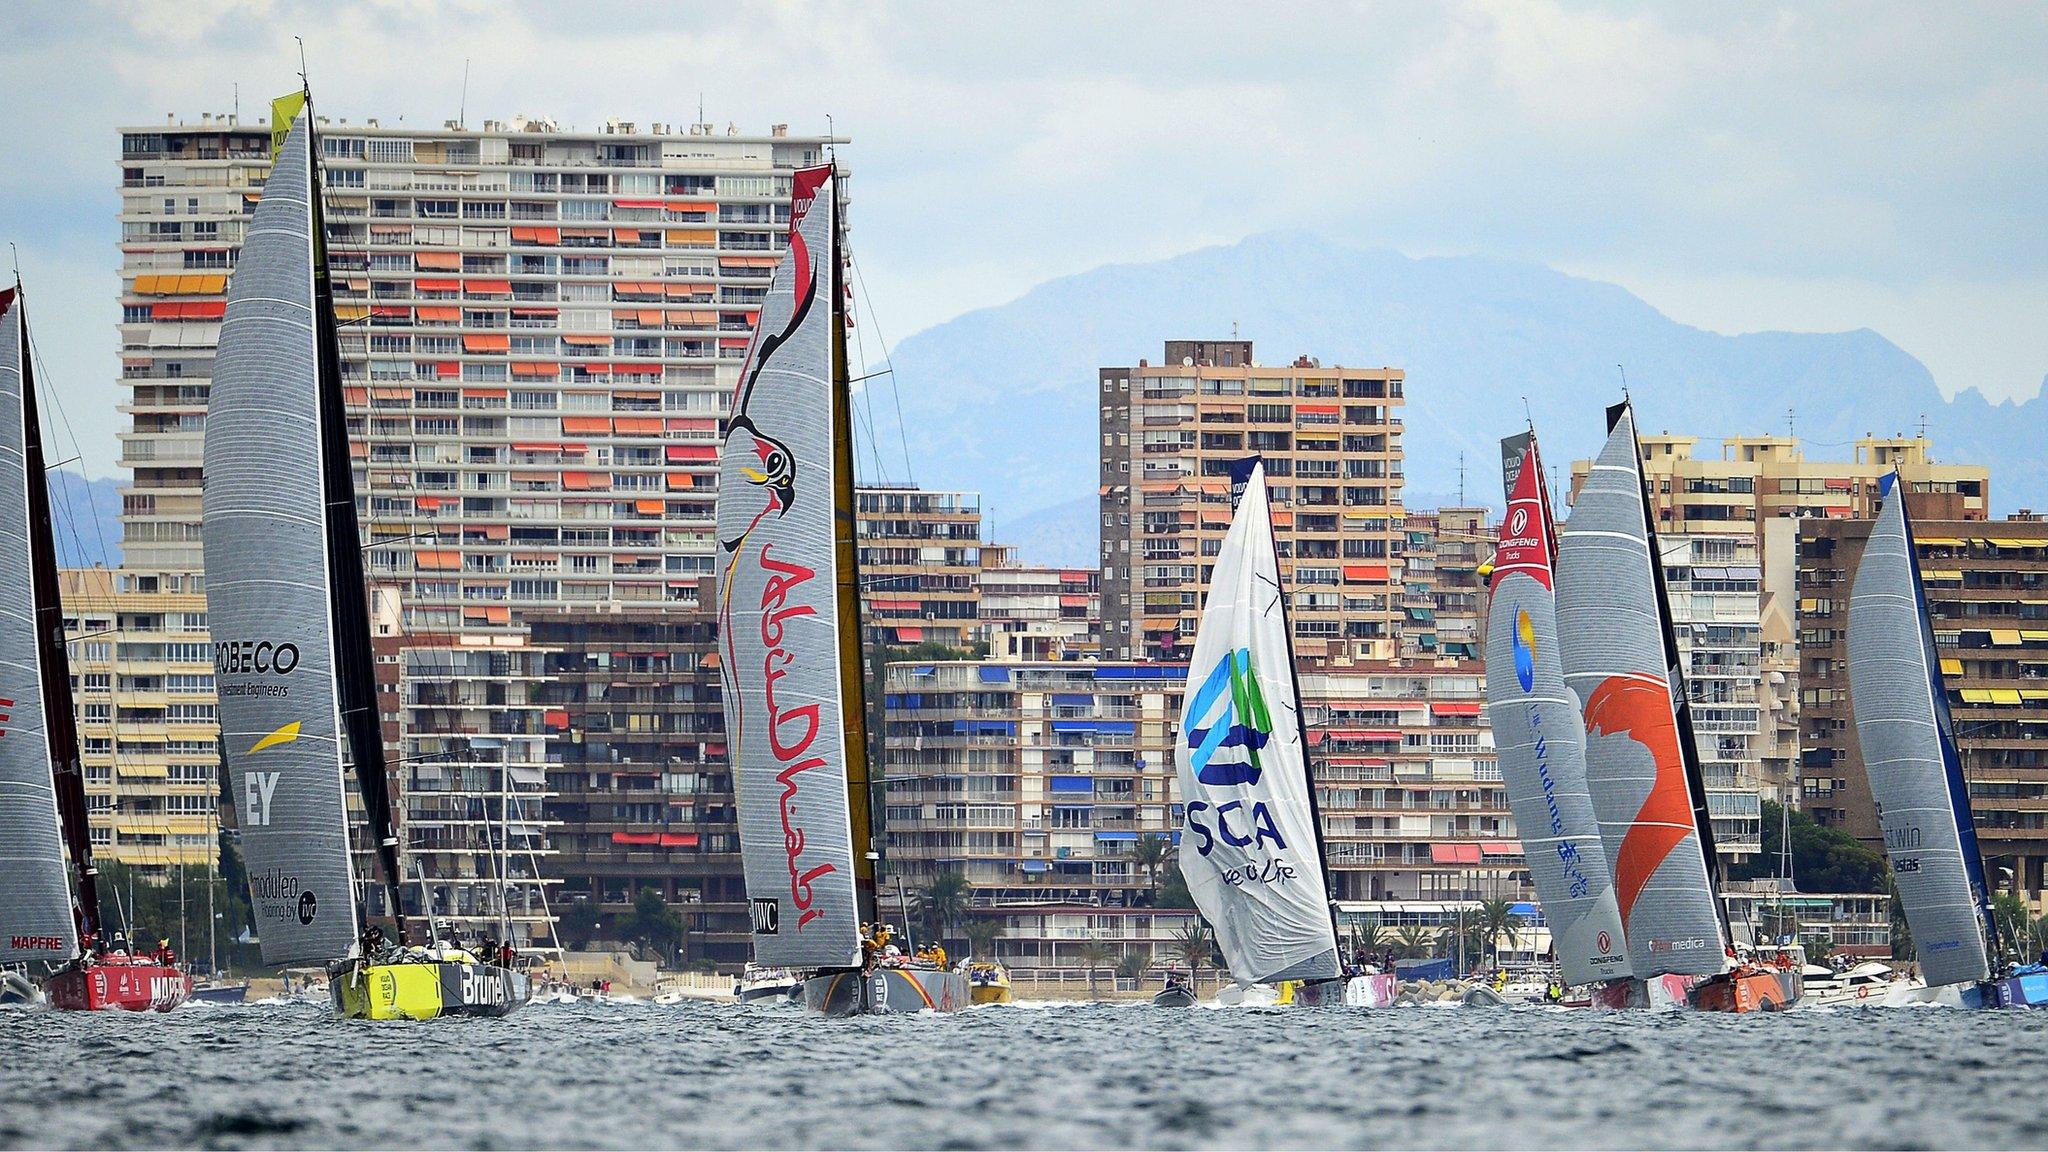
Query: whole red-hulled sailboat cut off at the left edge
{"points": [[50, 907]]}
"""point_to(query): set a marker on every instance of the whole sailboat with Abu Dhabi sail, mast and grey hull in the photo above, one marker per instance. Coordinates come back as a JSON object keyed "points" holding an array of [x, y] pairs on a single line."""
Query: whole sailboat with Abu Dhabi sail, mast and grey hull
{"points": [[790, 624]]}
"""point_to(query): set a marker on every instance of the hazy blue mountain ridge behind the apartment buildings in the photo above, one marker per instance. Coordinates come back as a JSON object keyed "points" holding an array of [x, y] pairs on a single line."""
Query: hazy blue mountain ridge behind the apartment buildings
{"points": [[1002, 401]]}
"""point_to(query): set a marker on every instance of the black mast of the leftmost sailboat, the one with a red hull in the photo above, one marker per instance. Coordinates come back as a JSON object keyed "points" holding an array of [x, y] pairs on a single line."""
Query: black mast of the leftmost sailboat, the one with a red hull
{"points": [[60, 721]]}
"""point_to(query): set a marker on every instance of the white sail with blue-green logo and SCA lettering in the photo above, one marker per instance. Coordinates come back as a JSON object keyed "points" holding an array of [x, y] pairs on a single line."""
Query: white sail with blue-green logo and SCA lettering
{"points": [[1250, 846]]}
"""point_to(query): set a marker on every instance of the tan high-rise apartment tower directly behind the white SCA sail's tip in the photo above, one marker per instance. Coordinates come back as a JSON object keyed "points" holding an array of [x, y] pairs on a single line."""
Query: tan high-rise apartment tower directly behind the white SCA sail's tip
{"points": [[1332, 448]]}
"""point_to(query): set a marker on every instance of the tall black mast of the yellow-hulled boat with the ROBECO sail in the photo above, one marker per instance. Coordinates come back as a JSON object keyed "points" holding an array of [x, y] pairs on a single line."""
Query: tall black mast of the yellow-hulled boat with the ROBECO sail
{"points": [[355, 669]]}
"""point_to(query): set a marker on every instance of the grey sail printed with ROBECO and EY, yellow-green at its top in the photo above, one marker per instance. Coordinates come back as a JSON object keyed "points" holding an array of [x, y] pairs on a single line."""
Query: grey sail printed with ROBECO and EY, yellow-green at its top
{"points": [[269, 579]]}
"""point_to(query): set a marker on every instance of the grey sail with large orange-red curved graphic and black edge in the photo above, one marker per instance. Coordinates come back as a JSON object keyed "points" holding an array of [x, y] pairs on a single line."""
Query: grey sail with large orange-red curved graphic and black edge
{"points": [[1641, 768]]}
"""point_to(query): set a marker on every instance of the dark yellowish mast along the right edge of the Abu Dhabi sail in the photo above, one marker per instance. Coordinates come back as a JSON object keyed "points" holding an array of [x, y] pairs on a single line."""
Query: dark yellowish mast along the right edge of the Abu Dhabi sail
{"points": [[847, 548]]}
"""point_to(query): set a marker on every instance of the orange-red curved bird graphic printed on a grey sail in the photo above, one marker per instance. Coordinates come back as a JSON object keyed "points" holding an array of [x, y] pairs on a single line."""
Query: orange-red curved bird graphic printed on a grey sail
{"points": [[1641, 710]]}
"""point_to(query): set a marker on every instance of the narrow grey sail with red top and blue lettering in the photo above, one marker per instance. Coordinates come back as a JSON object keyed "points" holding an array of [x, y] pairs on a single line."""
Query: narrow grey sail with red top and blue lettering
{"points": [[1541, 739]]}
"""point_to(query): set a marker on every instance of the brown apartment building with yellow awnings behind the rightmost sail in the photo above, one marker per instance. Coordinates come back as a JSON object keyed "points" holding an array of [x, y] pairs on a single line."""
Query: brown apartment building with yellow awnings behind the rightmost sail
{"points": [[1988, 600]]}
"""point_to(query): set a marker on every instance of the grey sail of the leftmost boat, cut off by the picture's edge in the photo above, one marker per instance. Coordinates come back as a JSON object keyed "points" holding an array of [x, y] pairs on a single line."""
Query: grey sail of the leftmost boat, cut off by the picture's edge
{"points": [[36, 893]]}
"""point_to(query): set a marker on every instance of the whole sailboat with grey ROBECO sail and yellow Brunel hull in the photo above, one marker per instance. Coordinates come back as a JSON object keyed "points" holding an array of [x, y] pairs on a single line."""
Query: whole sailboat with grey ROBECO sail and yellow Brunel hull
{"points": [[290, 618]]}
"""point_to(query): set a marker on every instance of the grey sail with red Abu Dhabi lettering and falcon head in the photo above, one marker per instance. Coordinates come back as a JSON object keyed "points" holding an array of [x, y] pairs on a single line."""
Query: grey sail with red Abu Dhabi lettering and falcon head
{"points": [[781, 614]]}
